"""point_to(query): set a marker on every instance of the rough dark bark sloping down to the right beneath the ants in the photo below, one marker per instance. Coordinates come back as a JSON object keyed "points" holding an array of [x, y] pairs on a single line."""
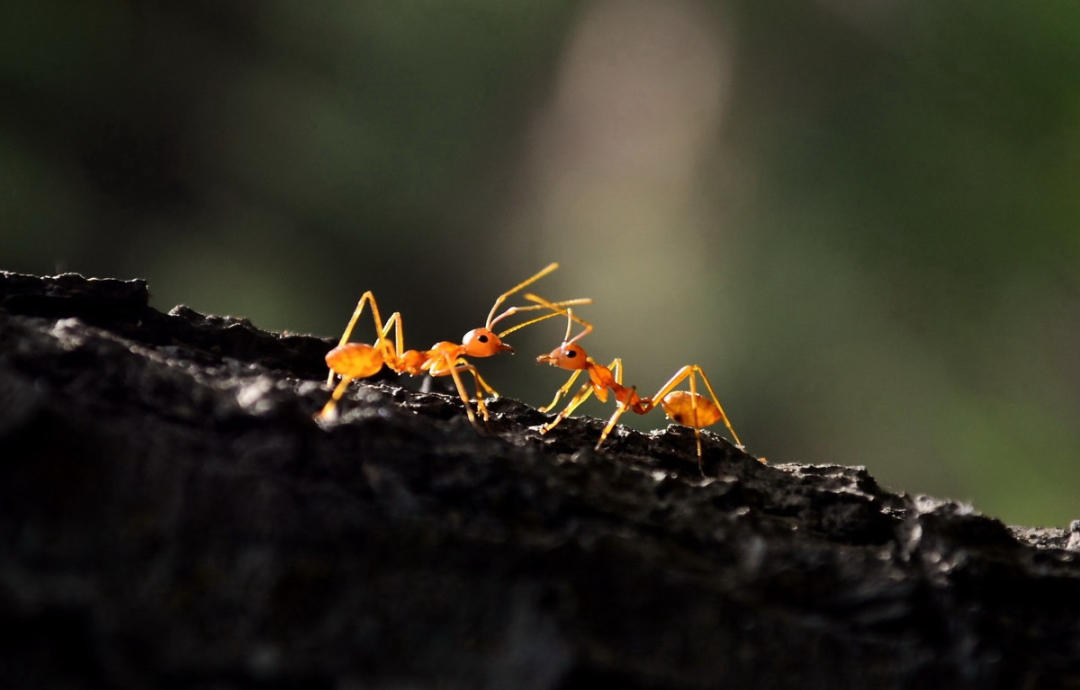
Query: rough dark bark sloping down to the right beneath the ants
{"points": [[172, 517]]}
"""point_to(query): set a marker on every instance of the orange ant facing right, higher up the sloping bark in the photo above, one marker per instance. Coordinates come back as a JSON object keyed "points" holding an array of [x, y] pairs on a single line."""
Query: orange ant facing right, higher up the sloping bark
{"points": [[358, 360]]}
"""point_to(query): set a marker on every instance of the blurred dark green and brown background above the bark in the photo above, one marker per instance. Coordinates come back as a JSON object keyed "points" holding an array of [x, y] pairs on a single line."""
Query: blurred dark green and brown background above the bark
{"points": [[861, 219]]}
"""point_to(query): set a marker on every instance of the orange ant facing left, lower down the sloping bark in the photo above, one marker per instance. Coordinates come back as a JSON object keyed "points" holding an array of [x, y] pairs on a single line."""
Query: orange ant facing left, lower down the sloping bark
{"points": [[688, 409]]}
